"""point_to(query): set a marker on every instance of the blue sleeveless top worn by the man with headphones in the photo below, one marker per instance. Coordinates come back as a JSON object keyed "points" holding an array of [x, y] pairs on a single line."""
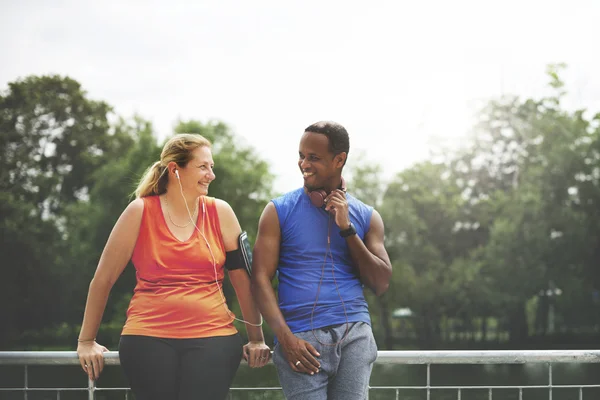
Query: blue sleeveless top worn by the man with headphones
{"points": [[304, 230]]}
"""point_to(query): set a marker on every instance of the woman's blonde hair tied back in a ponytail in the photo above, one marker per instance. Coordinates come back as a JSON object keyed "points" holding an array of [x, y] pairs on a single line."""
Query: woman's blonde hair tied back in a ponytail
{"points": [[177, 149]]}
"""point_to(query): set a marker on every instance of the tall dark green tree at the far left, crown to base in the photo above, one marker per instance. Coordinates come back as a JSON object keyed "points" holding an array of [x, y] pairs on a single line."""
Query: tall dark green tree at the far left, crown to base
{"points": [[52, 137]]}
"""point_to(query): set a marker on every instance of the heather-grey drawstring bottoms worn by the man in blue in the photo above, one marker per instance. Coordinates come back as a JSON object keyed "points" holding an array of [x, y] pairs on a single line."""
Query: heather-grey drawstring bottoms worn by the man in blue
{"points": [[345, 368]]}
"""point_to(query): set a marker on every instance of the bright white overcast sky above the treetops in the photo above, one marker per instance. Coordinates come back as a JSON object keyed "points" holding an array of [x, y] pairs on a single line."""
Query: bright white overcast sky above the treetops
{"points": [[401, 76]]}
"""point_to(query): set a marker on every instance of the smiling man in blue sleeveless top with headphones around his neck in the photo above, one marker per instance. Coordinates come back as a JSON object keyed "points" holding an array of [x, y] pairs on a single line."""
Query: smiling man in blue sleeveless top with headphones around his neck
{"points": [[325, 244]]}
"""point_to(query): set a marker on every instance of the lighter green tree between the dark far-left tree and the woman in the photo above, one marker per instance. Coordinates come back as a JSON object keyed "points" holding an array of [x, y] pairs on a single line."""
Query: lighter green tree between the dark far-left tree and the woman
{"points": [[92, 220]]}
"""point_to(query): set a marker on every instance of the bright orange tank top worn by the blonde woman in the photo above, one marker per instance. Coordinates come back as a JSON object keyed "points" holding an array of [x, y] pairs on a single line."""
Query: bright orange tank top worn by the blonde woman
{"points": [[176, 295]]}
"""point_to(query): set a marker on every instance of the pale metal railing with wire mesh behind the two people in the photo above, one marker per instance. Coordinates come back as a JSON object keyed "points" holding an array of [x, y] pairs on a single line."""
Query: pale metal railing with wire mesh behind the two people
{"points": [[426, 358]]}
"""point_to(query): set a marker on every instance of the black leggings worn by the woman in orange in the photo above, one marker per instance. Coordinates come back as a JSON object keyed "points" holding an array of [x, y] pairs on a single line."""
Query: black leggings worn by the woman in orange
{"points": [[180, 369]]}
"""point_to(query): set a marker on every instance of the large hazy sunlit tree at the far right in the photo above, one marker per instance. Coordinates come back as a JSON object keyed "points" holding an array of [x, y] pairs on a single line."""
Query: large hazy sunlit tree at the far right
{"points": [[522, 173]]}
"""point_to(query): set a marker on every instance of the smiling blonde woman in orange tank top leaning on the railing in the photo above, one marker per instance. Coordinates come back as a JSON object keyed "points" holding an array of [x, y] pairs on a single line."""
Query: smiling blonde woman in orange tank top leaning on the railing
{"points": [[178, 341]]}
